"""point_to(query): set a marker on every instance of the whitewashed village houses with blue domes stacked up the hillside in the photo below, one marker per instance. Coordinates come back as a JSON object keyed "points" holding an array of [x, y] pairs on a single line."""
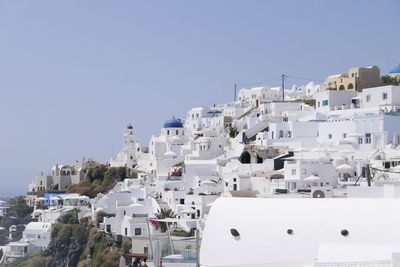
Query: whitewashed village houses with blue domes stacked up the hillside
{"points": [[258, 145]]}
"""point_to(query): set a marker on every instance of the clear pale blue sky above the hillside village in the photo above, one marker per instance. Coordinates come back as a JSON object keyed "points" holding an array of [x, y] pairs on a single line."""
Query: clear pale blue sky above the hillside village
{"points": [[73, 74]]}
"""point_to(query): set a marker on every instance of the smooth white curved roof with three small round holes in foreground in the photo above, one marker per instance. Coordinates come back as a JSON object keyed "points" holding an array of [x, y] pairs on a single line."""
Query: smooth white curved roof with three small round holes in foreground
{"points": [[263, 224]]}
